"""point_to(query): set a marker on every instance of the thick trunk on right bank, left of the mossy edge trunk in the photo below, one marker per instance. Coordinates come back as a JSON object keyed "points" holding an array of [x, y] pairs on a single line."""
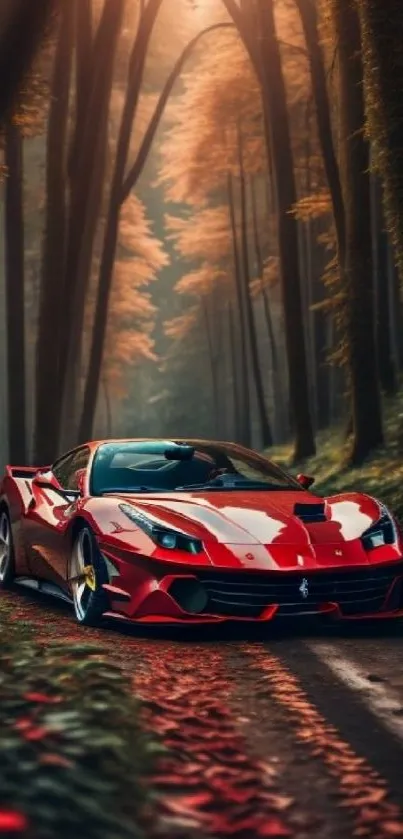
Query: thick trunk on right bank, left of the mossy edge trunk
{"points": [[357, 271]]}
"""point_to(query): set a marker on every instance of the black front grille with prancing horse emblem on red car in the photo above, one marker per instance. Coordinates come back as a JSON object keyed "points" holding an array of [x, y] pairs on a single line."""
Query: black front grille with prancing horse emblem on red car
{"points": [[247, 594]]}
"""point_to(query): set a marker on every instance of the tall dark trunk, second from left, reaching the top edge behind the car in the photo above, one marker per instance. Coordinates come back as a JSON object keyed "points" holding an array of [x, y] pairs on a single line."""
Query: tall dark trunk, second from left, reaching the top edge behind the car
{"points": [[51, 303]]}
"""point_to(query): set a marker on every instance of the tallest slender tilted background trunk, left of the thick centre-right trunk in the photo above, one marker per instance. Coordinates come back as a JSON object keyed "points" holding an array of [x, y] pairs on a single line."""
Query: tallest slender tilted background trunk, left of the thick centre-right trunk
{"points": [[265, 430]]}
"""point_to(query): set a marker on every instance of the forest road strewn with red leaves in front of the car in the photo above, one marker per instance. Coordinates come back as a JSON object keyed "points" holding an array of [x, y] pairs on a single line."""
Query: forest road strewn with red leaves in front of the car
{"points": [[298, 733]]}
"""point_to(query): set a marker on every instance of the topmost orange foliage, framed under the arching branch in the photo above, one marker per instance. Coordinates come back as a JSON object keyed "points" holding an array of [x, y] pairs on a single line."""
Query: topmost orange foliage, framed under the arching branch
{"points": [[201, 146]]}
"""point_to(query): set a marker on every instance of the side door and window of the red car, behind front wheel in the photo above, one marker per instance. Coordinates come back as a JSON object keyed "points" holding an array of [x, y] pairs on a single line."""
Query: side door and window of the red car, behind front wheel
{"points": [[49, 517]]}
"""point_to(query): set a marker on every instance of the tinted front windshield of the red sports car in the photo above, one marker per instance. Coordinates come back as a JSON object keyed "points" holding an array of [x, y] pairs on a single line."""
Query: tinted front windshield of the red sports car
{"points": [[169, 466]]}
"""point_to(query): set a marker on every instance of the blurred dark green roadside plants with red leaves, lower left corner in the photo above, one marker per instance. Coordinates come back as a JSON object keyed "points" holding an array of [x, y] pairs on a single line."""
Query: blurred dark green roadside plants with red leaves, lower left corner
{"points": [[73, 756]]}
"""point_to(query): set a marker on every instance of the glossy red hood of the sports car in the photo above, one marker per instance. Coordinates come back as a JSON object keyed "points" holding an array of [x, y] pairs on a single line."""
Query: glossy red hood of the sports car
{"points": [[260, 518]]}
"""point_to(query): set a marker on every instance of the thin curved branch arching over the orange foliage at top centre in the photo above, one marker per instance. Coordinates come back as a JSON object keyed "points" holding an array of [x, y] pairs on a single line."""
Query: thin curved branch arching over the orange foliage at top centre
{"points": [[137, 168]]}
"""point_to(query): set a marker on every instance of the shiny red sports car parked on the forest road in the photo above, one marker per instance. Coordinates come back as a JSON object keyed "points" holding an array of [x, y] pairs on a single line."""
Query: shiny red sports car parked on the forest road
{"points": [[192, 531]]}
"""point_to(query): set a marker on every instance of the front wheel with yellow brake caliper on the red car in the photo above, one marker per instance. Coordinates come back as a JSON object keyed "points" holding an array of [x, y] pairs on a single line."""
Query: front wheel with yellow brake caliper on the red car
{"points": [[87, 574]]}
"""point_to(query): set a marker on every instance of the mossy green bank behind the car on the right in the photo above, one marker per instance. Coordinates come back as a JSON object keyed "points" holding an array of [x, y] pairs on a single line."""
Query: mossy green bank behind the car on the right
{"points": [[381, 475]]}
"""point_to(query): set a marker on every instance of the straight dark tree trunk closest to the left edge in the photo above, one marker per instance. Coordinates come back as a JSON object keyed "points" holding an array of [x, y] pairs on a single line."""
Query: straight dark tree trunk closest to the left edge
{"points": [[15, 297]]}
